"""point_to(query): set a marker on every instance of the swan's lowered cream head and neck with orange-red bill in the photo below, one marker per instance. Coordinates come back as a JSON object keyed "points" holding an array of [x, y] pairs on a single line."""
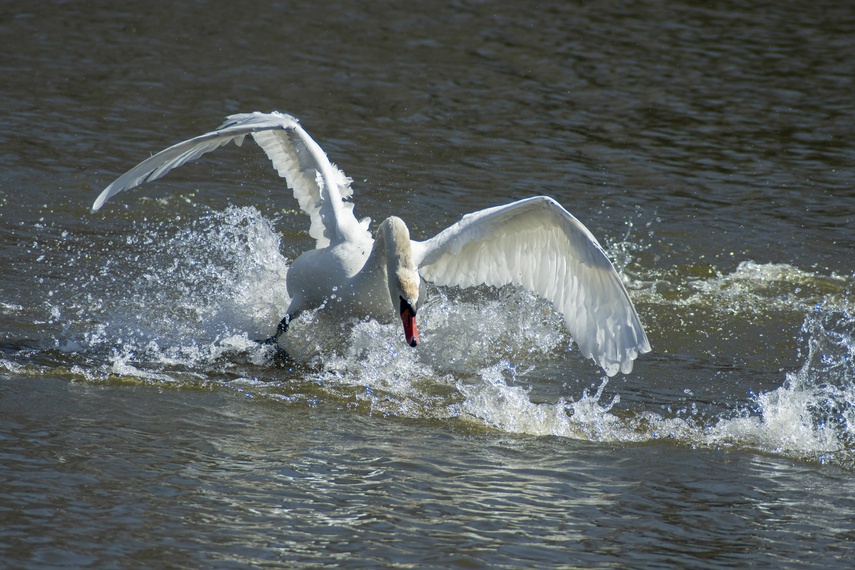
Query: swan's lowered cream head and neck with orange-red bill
{"points": [[402, 275]]}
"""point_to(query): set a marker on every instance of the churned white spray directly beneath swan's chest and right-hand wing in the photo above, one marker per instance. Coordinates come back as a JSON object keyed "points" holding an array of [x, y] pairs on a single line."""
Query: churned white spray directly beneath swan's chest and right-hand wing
{"points": [[460, 338]]}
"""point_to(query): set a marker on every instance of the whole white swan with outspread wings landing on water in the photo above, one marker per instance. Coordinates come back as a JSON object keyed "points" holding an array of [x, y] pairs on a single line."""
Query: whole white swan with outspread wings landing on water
{"points": [[533, 243]]}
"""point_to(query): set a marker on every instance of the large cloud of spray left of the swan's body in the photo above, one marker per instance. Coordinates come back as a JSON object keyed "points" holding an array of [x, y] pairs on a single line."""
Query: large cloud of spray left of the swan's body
{"points": [[179, 294]]}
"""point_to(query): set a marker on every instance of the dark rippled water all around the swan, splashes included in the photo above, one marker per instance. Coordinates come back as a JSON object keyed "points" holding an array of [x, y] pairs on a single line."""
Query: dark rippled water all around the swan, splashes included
{"points": [[706, 145]]}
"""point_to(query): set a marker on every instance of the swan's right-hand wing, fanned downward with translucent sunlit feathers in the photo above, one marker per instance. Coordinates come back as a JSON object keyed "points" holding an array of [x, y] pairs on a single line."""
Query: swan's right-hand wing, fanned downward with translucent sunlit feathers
{"points": [[538, 245]]}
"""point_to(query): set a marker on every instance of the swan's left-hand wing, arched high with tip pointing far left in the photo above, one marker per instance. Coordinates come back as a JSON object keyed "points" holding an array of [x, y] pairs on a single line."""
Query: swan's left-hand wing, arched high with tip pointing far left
{"points": [[318, 185]]}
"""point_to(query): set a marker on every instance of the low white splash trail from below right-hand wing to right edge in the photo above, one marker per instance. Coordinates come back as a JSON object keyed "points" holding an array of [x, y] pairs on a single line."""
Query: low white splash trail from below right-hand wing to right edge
{"points": [[810, 417]]}
